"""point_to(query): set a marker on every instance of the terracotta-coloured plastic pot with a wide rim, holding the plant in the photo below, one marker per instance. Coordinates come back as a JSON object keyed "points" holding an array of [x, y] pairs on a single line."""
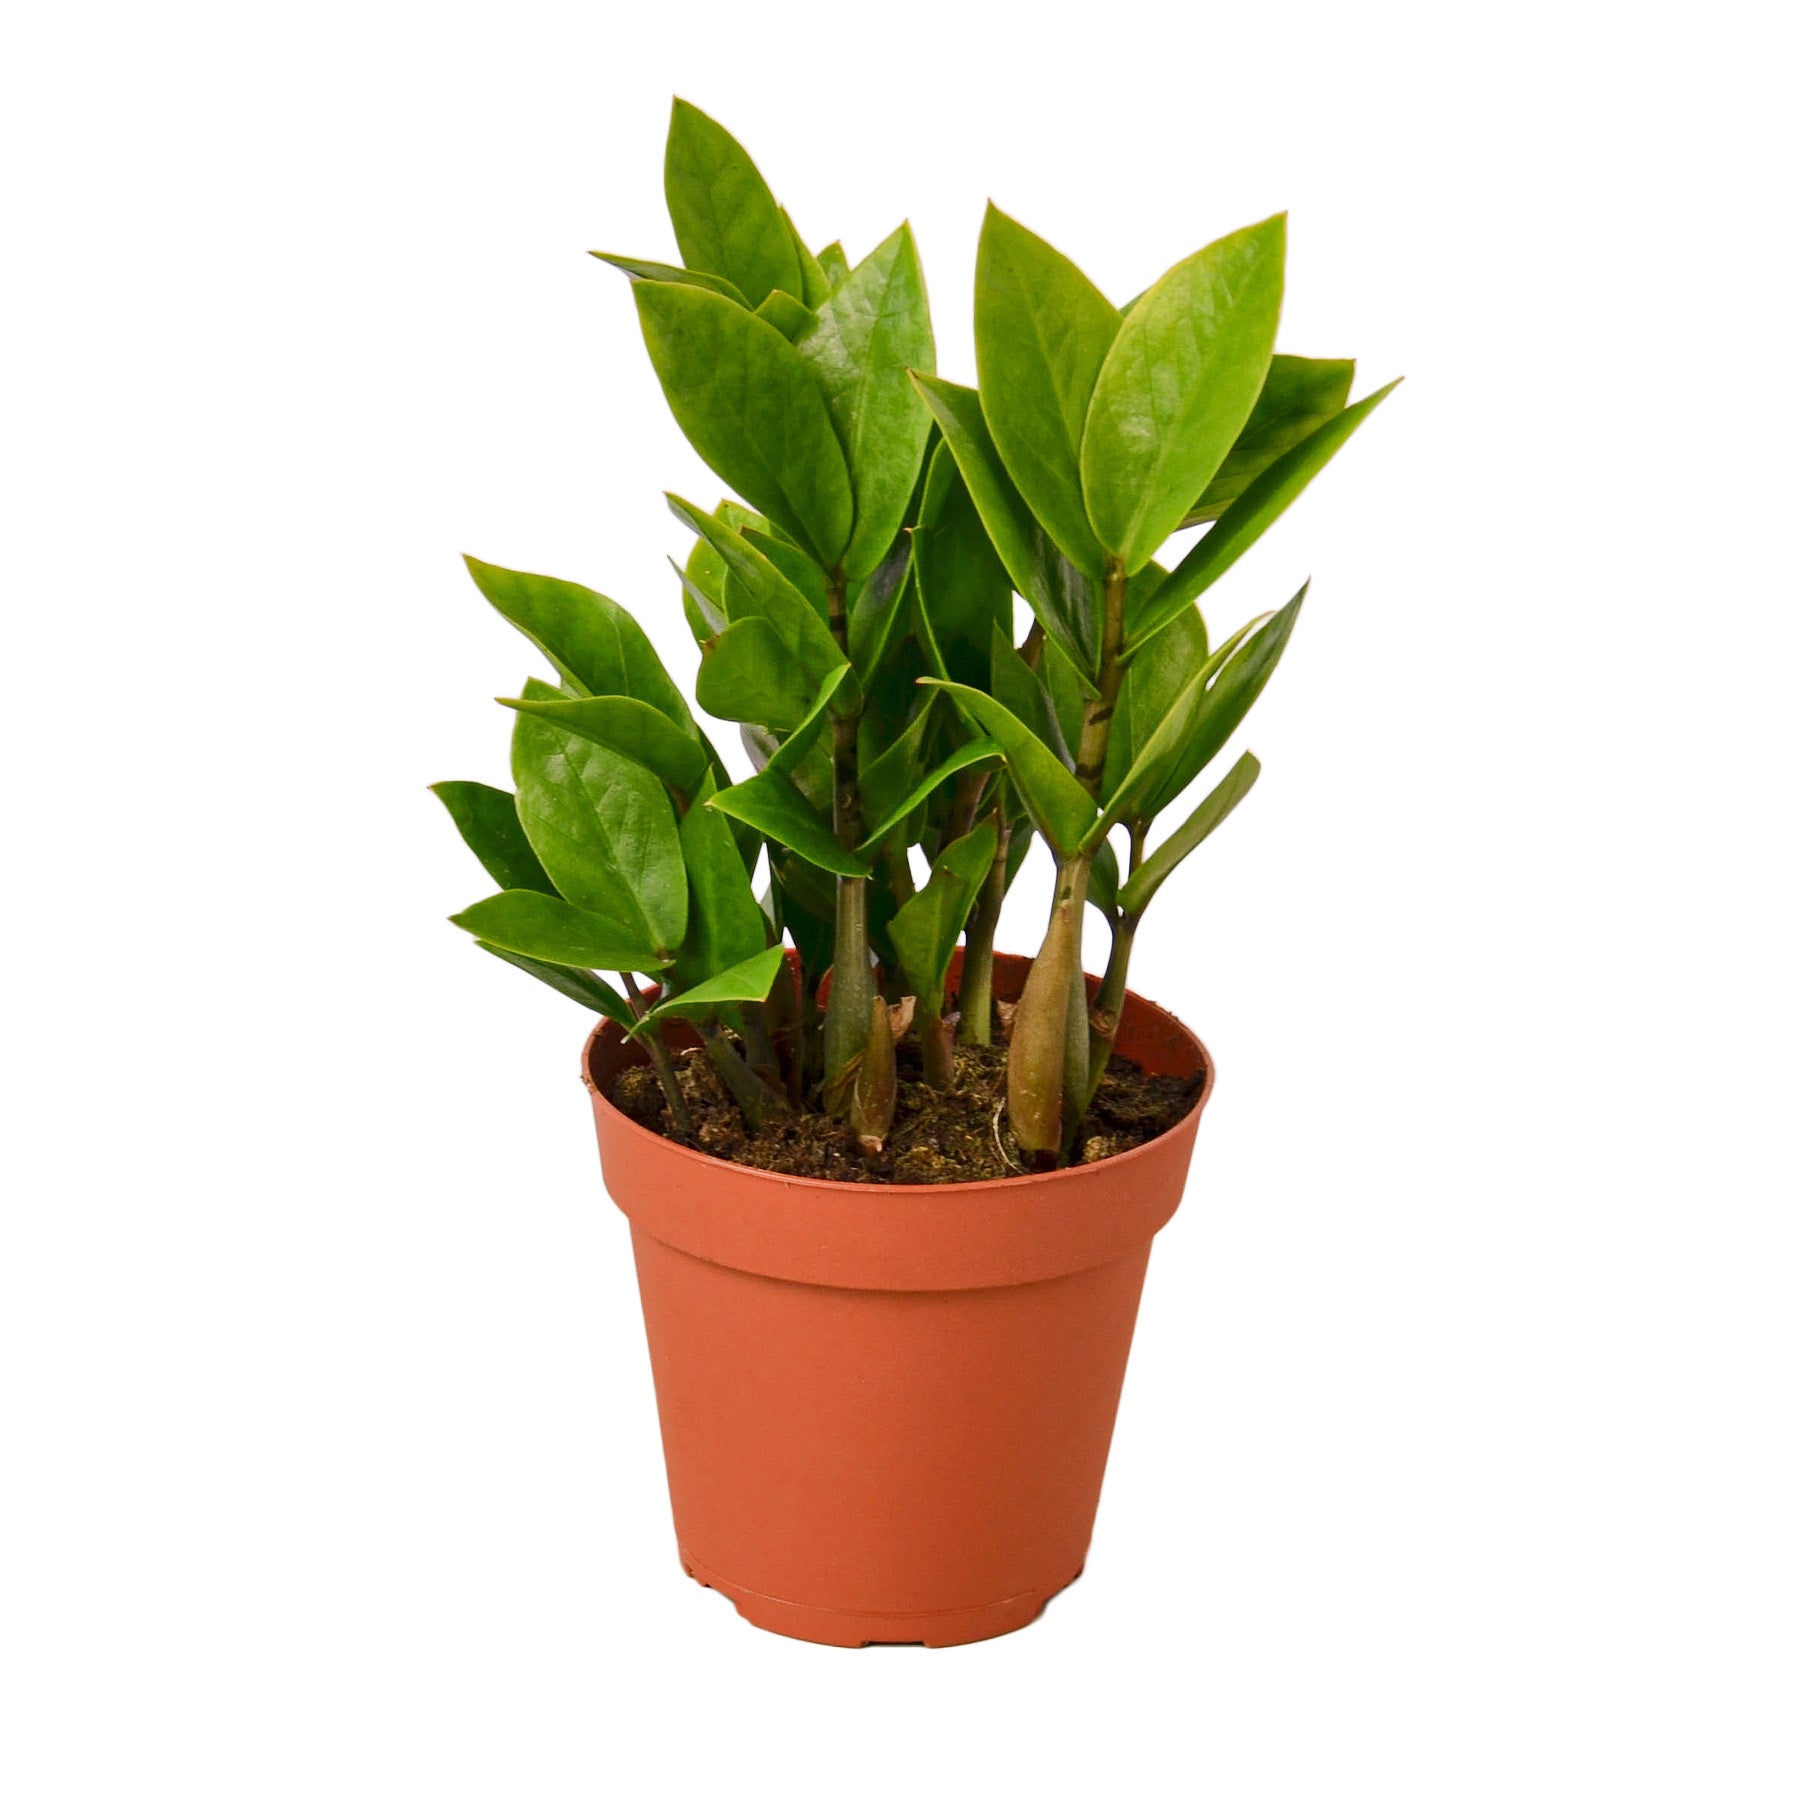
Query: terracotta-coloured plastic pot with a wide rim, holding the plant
{"points": [[886, 1410]]}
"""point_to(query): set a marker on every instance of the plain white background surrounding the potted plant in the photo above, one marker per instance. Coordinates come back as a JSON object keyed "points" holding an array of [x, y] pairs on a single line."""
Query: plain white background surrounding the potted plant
{"points": [[1459, 1448]]}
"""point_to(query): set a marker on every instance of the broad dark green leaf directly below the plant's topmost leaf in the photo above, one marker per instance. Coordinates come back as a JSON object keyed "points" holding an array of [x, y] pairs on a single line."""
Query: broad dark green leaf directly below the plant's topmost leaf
{"points": [[751, 408]]}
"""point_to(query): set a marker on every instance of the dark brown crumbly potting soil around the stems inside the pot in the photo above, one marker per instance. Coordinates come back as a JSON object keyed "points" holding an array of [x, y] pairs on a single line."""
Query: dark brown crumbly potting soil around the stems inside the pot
{"points": [[937, 1137]]}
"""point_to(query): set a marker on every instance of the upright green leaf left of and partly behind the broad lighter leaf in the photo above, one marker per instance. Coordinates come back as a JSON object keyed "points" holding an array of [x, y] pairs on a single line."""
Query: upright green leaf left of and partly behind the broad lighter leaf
{"points": [[1043, 332]]}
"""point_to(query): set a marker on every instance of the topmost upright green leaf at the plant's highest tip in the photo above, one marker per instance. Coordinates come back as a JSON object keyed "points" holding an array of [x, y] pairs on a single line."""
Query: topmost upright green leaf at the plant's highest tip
{"points": [[724, 217]]}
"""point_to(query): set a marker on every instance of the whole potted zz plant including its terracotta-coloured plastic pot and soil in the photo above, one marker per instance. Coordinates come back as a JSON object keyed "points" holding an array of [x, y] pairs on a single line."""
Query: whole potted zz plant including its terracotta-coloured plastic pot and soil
{"points": [[892, 1192]]}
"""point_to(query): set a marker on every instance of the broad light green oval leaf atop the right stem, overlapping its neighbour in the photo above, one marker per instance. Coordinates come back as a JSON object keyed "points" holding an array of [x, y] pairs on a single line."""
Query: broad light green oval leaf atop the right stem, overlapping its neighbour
{"points": [[1178, 388]]}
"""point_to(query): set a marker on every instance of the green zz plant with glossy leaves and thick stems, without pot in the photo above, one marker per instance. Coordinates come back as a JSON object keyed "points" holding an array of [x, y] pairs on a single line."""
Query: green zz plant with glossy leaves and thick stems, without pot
{"points": [[854, 609]]}
